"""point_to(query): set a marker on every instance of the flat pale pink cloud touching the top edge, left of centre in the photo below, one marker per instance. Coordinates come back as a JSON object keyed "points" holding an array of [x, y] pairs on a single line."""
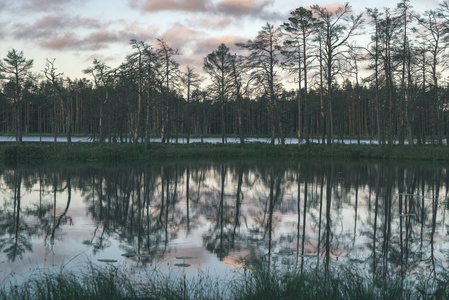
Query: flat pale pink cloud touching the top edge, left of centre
{"points": [[170, 5]]}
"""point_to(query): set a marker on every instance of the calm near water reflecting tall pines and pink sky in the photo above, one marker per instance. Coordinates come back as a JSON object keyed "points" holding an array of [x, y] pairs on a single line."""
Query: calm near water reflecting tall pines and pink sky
{"points": [[385, 218]]}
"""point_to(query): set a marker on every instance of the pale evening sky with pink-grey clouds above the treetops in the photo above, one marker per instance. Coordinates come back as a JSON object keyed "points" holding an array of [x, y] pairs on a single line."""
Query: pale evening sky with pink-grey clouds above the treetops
{"points": [[74, 32]]}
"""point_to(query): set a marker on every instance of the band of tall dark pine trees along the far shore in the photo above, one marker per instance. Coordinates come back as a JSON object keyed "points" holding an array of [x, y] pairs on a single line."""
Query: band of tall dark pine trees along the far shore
{"points": [[322, 73]]}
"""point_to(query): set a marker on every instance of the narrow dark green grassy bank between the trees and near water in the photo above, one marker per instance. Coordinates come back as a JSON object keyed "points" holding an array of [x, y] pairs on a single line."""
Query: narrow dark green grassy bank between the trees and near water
{"points": [[12, 153]]}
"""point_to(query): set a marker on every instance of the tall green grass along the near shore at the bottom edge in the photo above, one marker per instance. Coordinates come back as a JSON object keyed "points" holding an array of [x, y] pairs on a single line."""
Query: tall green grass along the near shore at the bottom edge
{"points": [[260, 283]]}
